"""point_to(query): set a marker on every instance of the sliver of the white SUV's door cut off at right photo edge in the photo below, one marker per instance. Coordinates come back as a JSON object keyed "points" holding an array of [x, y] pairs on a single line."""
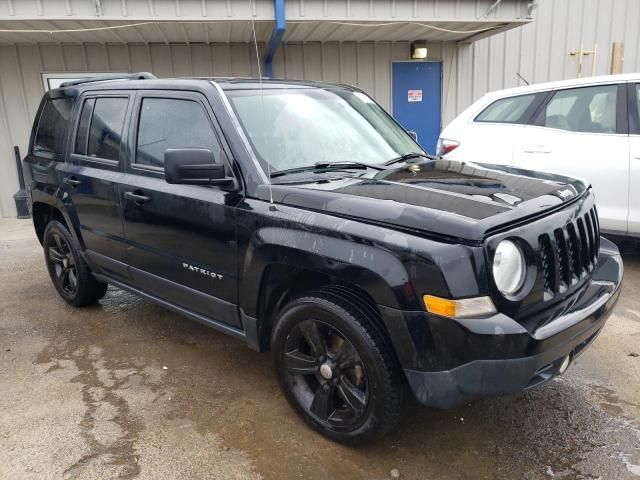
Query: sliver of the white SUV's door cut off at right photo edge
{"points": [[633, 103]]}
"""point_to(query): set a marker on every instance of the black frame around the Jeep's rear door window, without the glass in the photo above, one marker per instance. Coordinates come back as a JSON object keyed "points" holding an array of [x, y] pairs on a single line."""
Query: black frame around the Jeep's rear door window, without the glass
{"points": [[97, 162]]}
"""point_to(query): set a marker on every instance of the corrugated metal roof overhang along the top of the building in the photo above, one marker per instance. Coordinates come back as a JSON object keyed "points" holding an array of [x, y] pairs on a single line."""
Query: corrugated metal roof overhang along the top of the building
{"points": [[181, 21]]}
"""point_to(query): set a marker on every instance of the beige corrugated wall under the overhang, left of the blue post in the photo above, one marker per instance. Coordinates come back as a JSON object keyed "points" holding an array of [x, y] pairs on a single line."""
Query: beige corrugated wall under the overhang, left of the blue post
{"points": [[21, 86]]}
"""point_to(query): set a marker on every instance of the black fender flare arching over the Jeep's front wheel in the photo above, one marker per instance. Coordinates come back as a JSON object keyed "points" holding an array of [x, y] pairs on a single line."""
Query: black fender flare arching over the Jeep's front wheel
{"points": [[370, 267]]}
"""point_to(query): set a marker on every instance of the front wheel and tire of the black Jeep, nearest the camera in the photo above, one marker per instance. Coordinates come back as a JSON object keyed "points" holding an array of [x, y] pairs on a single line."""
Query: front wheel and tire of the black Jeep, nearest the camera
{"points": [[325, 391]]}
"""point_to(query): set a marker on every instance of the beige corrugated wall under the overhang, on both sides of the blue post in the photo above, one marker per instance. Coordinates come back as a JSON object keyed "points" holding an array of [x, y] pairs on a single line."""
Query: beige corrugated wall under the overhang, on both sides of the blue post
{"points": [[21, 66]]}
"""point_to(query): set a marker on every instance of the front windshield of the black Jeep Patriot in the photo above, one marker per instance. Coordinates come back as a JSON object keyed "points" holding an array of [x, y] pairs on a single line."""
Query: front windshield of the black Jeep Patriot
{"points": [[290, 128]]}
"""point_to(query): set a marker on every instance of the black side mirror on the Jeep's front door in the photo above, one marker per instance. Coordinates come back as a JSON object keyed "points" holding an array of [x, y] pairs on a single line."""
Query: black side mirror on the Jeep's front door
{"points": [[194, 166]]}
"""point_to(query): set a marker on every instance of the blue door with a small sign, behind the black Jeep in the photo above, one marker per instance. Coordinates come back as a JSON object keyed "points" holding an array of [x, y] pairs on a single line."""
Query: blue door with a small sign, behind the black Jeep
{"points": [[417, 98]]}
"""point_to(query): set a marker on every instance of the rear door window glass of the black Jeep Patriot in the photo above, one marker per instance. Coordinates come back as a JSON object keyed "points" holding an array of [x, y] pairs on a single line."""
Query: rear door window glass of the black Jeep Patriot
{"points": [[105, 131]]}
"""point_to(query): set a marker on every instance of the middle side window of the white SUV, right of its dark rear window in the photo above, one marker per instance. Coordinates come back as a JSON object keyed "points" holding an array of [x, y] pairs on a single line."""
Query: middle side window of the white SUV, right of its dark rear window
{"points": [[585, 109]]}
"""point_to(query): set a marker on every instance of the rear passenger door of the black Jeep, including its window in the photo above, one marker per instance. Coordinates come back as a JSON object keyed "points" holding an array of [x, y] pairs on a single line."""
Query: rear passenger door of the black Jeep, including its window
{"points": [[92, 175]]}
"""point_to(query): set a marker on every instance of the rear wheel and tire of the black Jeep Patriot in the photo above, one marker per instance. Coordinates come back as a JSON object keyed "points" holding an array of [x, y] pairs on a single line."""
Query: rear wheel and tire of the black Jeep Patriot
{"points": [[69, 273]]}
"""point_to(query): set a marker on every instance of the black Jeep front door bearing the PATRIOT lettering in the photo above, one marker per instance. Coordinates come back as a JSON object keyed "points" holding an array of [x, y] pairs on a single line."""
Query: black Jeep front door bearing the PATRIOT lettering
{"points": [[181, 238]]}
